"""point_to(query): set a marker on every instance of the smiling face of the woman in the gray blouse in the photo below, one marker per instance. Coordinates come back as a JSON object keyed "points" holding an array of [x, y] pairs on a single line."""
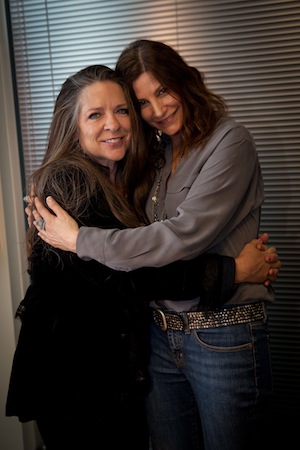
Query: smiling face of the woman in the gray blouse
{"points": [[159, 108]]}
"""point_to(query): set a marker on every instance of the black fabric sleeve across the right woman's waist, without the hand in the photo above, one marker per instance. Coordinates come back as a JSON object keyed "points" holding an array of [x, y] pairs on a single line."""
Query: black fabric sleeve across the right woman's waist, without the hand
{"points": [[209, 276]]}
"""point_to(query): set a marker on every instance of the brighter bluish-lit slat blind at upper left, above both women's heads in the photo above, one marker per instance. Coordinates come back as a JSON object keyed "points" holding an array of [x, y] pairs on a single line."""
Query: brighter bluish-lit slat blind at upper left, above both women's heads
{"points": [[53, 39]]}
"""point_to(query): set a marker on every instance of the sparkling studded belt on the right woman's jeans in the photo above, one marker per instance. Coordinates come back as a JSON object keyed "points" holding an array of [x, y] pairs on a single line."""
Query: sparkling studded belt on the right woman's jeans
{"points": [[185, 321]]}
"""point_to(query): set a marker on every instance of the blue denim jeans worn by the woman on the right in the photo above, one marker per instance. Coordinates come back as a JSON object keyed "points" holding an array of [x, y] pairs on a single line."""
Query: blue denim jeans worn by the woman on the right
{"points": [[224, 374]]}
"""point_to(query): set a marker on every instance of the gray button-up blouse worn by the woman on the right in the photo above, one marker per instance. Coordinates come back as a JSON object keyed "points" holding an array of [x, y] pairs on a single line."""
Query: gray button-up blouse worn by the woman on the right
{"points": [[212, 203]]}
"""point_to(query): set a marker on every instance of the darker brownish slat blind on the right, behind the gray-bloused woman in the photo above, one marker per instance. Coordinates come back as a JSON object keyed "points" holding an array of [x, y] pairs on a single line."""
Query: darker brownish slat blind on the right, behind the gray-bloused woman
{"points": [[250, 54]]}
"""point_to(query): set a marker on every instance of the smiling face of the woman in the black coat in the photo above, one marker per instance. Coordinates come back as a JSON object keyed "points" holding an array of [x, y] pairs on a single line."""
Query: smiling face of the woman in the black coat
{"points": [[104, 127]]}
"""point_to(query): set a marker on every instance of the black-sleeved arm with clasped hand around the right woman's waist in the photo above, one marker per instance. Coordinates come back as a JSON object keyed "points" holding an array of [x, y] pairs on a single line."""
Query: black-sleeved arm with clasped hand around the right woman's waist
{"points": [[213, 277]]}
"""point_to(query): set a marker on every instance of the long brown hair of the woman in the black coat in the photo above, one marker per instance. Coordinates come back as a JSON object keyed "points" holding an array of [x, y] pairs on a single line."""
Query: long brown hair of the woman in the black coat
{"points": [[66, 165]]}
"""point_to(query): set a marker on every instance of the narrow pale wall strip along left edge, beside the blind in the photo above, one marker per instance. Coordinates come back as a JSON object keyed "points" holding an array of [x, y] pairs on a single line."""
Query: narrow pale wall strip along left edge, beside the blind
{"points": [[13, 276]]}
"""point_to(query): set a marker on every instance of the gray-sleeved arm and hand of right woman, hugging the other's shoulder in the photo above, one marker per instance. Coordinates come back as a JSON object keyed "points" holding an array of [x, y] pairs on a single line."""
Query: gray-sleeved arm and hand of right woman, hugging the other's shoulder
{"points": [[225, 188]]}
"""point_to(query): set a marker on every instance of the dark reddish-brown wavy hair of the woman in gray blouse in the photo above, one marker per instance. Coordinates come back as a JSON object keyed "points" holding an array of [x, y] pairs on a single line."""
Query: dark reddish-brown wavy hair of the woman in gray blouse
{"points": [[202, 109]]}
